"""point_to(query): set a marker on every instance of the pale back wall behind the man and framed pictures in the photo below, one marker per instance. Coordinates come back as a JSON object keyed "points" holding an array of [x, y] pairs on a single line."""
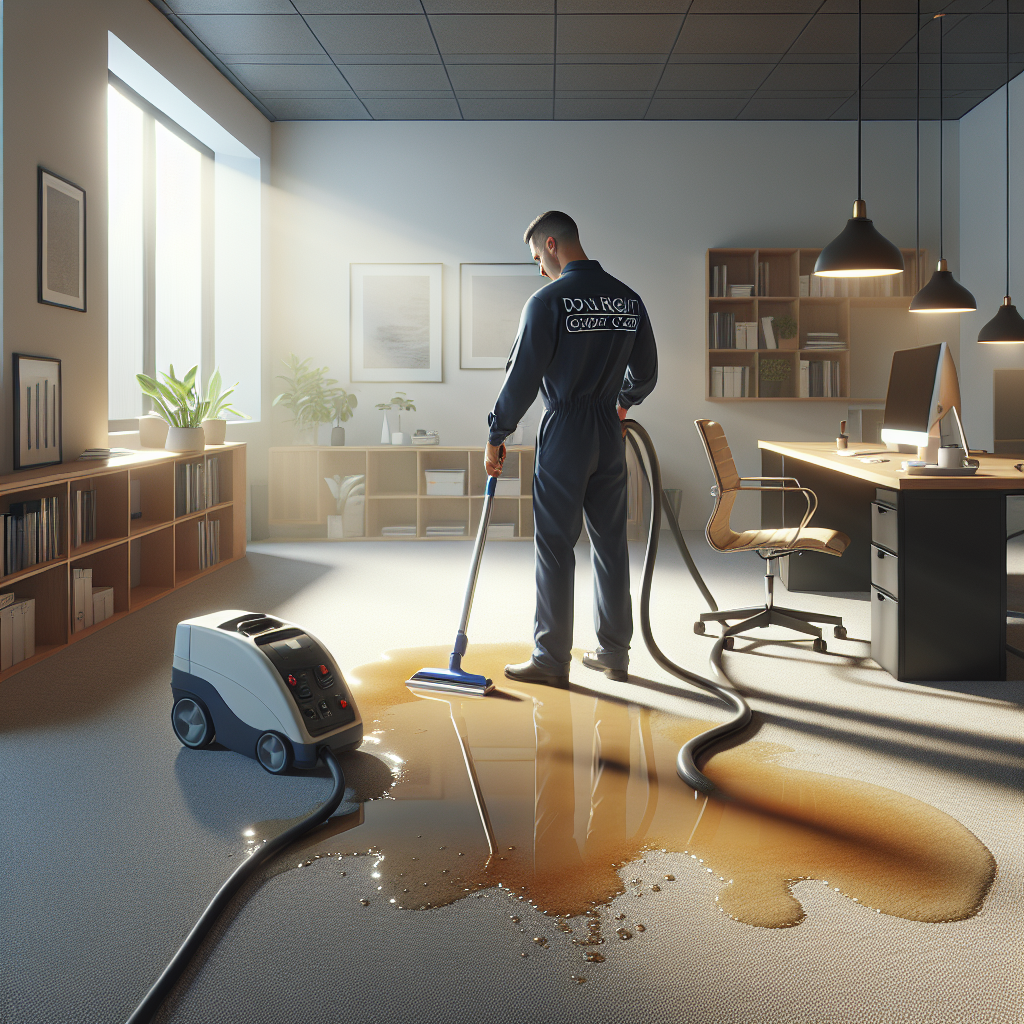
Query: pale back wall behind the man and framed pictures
{"points": [[651, 199]]}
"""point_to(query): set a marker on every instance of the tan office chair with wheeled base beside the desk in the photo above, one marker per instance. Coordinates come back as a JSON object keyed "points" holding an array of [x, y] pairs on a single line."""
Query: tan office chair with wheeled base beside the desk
{"points": [[770, 544]]}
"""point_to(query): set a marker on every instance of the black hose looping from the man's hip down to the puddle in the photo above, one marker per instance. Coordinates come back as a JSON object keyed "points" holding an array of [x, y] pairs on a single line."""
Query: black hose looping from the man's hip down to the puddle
{"points": [[687, 760]]}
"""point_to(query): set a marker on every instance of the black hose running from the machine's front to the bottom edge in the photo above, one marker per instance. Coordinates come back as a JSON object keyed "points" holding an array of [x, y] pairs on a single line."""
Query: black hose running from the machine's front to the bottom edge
{"points": [[149, 1007]]}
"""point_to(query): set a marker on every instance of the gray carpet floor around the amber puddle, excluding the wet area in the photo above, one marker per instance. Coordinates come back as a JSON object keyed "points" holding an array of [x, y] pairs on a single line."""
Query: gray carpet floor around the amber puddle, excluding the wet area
{"points": [[116, 837]]}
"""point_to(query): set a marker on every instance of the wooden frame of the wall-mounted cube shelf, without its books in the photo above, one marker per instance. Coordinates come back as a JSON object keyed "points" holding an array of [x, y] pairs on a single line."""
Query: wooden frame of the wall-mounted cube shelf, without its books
{"points": [[830, 313]]}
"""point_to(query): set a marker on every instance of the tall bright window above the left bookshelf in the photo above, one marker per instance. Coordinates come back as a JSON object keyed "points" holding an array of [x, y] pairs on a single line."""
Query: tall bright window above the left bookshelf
{"points": [[161, 251]]}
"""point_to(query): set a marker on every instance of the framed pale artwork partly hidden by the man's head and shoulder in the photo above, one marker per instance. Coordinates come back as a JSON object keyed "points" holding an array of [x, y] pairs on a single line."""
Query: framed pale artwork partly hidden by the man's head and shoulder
{"points": [[492, 300]]}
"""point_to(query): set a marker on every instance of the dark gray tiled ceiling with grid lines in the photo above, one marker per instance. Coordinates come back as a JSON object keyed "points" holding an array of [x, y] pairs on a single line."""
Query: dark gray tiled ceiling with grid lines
{"points": [[600, 60]]}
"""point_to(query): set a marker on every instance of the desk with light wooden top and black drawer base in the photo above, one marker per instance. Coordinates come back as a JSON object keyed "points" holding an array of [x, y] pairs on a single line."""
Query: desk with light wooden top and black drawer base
{"points": [[952, 551]]}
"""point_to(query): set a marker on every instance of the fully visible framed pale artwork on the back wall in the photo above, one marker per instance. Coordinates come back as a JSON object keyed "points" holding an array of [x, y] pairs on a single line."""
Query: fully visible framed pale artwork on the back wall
{"points": [[397, 322]]}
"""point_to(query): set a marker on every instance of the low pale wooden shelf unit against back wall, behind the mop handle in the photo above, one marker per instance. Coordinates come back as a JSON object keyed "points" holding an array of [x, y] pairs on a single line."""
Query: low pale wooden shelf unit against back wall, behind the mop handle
{"points": [[426, 493]]}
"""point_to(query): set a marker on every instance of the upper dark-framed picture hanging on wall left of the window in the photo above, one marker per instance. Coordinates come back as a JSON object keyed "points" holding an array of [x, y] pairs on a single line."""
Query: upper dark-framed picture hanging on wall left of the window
{"points": [[62, 242]]}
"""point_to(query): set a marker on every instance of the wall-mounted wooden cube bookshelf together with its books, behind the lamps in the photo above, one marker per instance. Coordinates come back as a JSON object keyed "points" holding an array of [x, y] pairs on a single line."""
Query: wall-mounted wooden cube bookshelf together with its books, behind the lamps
{"points": [[749, 291]]}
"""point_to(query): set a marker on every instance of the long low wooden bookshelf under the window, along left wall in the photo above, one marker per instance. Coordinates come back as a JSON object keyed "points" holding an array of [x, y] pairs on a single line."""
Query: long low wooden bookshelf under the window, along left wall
{"points": [[142, 560]]}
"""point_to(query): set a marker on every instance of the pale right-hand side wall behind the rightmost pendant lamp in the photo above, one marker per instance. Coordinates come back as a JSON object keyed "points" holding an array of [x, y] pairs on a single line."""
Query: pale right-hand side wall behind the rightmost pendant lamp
{"points": [[984, 221]]}
